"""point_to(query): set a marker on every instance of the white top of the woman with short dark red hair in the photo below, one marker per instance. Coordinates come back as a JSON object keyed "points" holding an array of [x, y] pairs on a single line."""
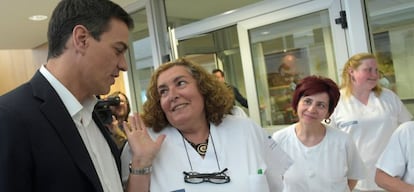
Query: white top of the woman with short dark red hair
{"points": [[326, 166]]}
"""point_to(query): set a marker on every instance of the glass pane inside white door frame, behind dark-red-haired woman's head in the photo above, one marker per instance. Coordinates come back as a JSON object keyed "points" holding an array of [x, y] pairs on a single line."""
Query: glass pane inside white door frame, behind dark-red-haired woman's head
{"points": [[285, 52]]}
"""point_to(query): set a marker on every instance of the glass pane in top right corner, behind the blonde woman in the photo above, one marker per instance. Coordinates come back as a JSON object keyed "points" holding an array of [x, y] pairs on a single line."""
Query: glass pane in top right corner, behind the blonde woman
{"points": [[392, 33]]}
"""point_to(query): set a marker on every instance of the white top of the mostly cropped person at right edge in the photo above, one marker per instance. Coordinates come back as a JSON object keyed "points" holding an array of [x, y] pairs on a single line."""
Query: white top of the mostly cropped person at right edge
{"points": [[397, 159]]}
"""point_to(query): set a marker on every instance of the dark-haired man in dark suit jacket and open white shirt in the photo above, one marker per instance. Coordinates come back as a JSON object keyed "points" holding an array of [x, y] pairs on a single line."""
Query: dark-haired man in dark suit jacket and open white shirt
{"points": [[50, 139]]}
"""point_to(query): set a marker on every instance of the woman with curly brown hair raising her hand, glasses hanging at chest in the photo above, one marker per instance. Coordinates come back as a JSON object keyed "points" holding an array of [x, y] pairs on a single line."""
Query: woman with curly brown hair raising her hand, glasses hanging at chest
{"points": [[199, 146]]}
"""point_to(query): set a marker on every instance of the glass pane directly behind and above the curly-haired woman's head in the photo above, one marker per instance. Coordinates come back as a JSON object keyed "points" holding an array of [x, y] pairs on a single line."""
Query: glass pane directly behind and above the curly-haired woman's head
{"points": [[217, 49]]}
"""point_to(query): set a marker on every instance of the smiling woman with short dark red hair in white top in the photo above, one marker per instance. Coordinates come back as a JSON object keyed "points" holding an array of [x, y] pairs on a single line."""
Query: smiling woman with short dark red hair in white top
{"points": [[325, 159]]}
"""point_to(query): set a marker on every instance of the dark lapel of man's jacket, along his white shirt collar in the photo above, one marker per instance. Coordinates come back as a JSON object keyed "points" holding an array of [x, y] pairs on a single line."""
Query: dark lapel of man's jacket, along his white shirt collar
{"points": [[55, 111]]}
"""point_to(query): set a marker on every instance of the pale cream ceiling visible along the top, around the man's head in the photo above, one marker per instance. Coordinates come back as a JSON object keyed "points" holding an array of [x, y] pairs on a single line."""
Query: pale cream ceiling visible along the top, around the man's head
{"points": [[18, 32]]}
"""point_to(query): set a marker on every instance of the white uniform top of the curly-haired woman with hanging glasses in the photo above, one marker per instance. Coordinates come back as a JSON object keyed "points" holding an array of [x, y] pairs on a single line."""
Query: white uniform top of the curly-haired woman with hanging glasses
{"points": [[240, 145]]}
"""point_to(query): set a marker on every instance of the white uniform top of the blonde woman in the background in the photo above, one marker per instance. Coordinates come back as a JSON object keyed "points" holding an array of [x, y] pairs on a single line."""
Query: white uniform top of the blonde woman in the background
{"points": [[370, 126]]}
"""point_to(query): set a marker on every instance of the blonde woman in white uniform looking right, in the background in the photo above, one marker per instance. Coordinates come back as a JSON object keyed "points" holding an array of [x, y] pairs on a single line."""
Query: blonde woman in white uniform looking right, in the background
{"points": [[368, 112]]}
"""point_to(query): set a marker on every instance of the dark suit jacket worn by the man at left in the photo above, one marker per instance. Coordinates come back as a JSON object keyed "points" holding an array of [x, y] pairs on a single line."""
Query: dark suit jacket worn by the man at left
{"points": [[40, 146]]}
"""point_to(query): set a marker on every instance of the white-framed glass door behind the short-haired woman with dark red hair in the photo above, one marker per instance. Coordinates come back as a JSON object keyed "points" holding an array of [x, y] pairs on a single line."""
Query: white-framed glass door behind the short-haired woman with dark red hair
{"points": [[280, 48]]}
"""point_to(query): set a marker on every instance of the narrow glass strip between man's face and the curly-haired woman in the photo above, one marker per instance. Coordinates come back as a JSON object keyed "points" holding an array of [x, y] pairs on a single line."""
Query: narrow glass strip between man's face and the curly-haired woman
{"points": [[141, 58]]}
